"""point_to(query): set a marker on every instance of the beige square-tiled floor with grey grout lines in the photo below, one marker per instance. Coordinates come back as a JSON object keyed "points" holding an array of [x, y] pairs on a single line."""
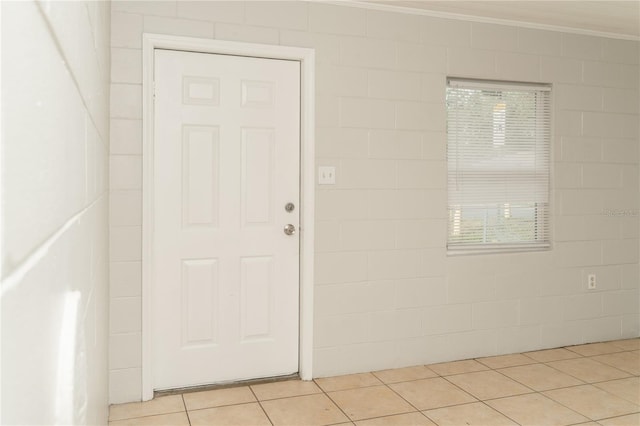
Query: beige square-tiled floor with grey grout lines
{"points": [[594, 384]]}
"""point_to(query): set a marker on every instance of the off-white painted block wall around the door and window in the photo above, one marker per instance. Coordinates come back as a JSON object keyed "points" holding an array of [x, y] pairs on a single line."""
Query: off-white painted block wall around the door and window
{"points": [[386, 294]]}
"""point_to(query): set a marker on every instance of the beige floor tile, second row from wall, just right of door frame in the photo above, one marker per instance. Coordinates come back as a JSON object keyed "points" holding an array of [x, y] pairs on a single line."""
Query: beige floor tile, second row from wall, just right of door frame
{"points": [[366, 403]]}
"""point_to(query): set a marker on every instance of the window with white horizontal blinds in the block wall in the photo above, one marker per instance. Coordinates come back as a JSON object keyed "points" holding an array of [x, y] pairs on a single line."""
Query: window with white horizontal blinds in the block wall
{"points": [[498, 147]]}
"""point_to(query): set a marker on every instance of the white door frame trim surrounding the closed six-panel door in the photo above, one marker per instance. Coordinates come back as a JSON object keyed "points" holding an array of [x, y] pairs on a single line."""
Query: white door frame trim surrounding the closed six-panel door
{"points": [[306, 57]]}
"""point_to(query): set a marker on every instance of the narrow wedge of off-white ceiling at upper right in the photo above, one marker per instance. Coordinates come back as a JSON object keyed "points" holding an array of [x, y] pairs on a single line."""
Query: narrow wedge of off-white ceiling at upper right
{"points": [[606, 17]]}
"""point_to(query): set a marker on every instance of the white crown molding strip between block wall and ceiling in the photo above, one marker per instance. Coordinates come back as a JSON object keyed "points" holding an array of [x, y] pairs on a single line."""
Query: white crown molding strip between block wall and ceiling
{"points": [[474, 18]]}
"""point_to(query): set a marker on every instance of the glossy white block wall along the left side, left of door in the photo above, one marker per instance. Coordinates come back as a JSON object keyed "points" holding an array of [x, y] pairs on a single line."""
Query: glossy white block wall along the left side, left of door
{"points": [[55, 133]]}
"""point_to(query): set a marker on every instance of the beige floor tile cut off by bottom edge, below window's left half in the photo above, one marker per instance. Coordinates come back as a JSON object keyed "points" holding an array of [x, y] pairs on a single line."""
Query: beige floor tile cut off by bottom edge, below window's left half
{"points": [[476, 413]]}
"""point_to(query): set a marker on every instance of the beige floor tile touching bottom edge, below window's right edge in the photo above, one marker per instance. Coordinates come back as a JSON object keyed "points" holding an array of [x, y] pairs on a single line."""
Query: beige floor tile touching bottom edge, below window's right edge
{"points": [[535, 410]]}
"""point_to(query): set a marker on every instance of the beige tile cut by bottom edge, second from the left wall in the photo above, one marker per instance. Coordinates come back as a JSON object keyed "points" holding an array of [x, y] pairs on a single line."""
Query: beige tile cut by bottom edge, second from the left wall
{"points": [[231, 415]]}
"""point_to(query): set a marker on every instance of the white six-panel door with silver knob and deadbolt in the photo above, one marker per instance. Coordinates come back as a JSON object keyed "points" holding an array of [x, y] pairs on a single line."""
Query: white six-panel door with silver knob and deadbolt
{"points": [[226, 163]]}
